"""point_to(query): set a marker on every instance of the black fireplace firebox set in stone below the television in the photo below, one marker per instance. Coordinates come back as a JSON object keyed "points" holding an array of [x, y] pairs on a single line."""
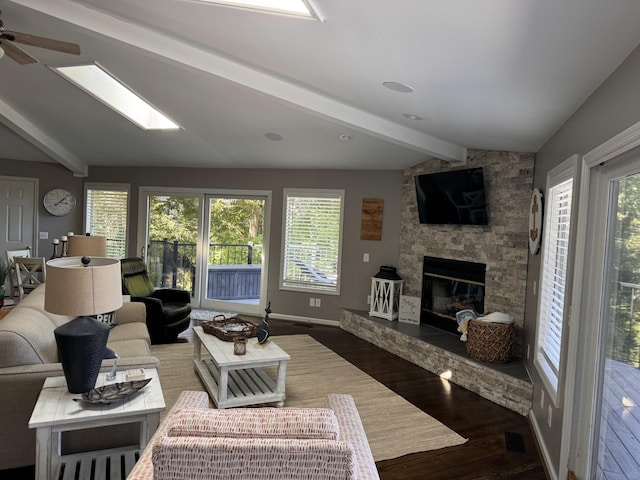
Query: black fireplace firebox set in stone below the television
{"points": [[449, 286]]}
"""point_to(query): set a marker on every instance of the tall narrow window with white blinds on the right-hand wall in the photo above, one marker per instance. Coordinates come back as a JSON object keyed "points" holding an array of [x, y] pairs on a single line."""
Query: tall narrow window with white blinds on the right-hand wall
{"points": [[553, 276]]}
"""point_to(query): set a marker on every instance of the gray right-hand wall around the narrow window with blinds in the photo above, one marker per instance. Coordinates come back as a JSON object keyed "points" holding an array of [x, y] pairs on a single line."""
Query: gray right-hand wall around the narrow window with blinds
{"points": [[612, 108]]}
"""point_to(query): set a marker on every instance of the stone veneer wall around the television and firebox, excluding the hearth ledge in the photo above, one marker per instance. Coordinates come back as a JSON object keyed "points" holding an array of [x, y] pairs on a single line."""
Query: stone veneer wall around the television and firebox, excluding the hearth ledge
{"points": [[502, 245]]}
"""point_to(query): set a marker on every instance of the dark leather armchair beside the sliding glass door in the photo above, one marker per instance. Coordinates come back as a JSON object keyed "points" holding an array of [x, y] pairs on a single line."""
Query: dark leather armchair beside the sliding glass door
{"points": [[168, 309]]}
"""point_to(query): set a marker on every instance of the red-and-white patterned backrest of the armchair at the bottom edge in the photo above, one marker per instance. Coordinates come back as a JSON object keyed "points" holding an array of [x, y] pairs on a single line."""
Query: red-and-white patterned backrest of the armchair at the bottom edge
{"points": [[214, 458]]}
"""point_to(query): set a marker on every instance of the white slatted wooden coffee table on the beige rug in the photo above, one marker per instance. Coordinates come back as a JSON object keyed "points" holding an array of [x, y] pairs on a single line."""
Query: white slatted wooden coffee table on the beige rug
{"points": [[236, 380]]}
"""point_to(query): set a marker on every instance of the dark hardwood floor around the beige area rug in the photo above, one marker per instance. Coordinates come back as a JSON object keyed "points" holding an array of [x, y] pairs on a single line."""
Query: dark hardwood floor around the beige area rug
{"points": [[501, 444]]}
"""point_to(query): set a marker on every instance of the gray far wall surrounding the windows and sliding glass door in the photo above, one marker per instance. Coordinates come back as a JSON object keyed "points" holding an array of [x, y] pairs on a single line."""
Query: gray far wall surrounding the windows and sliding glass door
{"points": [[356, 275]]}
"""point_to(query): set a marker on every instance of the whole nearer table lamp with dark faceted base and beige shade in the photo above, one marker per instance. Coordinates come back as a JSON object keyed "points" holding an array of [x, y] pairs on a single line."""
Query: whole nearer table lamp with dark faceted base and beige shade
{"points": [[86, 287]]}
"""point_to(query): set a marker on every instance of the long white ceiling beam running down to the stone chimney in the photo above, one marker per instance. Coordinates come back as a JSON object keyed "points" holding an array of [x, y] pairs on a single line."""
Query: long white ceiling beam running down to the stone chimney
{"points": [[206, 61]]}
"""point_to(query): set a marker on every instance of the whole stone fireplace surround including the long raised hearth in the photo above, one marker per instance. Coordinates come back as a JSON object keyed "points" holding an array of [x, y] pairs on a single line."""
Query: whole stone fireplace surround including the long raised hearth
{"points": [[502, 246]]}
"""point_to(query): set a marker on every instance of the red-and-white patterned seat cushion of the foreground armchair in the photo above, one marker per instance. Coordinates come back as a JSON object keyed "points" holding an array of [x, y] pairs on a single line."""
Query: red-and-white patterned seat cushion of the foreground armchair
{"points": [[320, 423]]}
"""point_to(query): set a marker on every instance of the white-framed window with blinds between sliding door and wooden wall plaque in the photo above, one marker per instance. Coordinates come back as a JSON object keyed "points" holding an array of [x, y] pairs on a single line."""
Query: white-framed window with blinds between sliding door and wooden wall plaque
{"points": [[312, 232]]}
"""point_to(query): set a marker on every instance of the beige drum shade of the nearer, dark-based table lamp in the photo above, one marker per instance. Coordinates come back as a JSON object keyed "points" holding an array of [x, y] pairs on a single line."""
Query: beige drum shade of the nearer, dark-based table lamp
{"points": [[75, 289]]}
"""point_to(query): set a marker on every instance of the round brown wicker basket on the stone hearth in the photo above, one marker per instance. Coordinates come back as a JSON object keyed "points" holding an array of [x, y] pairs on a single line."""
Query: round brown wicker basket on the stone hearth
{"points": [[489, 342]]}
